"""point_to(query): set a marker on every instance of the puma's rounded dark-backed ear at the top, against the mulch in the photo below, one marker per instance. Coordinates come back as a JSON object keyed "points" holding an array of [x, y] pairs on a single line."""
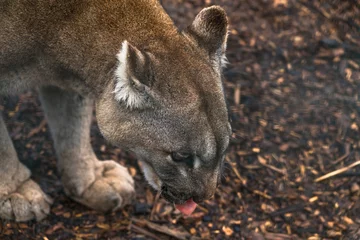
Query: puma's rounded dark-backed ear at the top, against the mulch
{"points": [[210, 31]]}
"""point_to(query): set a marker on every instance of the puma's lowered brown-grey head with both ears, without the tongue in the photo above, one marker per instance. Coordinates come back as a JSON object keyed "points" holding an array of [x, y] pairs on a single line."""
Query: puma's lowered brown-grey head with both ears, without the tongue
{"points": [[167, 105]]}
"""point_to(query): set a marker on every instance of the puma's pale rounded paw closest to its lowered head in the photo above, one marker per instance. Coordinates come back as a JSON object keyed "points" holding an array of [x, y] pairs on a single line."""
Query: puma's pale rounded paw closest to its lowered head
{"points": [[112, 188]]}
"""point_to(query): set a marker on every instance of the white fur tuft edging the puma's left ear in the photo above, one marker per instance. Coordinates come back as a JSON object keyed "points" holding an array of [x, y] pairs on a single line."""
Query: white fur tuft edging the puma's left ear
{"points": [[124, 90]]}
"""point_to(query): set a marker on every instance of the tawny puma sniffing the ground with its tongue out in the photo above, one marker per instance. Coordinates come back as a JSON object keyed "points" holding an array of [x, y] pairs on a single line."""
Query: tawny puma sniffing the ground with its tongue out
{"points": [[157, 92]]}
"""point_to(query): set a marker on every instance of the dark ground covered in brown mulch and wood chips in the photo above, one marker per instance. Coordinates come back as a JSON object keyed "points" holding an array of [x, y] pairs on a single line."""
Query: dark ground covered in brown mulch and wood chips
{"points": [[293, 87]]}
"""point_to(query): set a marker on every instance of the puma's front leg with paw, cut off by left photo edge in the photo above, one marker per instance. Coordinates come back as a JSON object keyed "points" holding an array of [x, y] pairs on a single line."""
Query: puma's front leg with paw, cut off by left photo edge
{"points": [[21, 199]]}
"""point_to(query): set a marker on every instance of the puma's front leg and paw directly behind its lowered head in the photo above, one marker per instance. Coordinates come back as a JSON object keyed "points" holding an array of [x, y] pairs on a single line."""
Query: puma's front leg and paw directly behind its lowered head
{"points": [[101, 185]]}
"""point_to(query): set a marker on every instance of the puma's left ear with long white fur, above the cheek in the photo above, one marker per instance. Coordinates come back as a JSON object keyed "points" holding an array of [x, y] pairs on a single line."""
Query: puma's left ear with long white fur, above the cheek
{"points": [[132, 81]]}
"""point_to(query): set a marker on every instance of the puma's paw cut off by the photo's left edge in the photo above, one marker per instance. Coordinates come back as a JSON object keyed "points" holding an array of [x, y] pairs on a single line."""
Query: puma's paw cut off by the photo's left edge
{"points": [[26, 203]]}
